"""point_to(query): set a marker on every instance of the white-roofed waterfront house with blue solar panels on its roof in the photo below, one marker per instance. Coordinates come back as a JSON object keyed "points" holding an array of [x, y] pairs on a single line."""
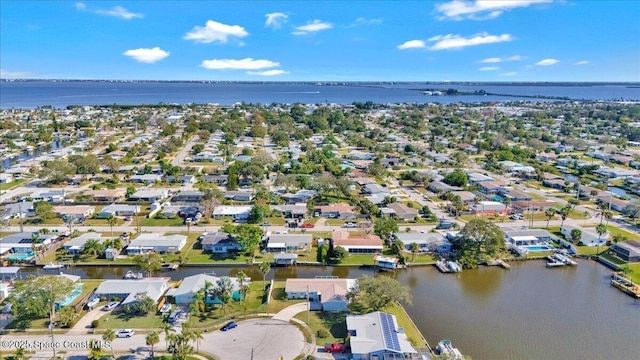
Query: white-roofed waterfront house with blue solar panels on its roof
{"points": [[377, 336]]}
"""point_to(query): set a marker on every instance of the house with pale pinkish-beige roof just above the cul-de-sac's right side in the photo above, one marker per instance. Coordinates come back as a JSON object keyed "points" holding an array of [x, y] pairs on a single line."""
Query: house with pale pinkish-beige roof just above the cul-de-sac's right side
{"points": [[325, 294]]}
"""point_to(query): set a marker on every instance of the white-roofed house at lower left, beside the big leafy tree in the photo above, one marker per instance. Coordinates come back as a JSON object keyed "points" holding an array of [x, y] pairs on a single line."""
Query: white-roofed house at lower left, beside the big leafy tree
{"points": [[133, 290]]}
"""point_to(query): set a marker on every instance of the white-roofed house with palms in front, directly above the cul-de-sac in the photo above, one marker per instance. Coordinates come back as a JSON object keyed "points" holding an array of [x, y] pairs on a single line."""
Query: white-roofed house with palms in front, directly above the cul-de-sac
{"points": [[190, 285]]}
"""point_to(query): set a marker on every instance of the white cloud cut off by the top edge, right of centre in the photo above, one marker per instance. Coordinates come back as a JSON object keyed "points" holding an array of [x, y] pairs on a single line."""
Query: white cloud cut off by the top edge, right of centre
{"points": [[481, 9]]}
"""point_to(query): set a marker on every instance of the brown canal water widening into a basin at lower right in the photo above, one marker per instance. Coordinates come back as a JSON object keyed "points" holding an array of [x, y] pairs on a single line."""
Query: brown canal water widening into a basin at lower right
{"points": [[529, 312]]}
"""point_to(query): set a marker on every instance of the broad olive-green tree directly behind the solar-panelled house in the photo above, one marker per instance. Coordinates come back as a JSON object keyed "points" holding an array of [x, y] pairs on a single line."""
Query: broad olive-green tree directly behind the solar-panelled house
{"points": [[374, 293]]}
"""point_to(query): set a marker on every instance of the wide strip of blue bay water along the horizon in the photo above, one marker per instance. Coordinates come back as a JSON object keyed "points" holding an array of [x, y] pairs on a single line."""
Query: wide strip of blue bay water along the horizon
{"points": [[32, 94]]}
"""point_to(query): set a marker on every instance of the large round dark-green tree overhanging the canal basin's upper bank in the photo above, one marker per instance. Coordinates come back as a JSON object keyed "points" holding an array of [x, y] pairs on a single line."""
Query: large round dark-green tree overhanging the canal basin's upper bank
{"points": [[478, 241]]}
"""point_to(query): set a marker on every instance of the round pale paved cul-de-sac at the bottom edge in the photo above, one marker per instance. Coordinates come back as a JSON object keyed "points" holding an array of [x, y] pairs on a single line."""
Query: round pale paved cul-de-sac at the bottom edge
{"points": [[258, 339]]}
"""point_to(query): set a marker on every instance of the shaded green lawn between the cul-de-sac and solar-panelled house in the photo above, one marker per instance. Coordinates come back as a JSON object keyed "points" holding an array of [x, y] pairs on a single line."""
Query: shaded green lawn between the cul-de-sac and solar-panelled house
{"points": [[331, 324]]}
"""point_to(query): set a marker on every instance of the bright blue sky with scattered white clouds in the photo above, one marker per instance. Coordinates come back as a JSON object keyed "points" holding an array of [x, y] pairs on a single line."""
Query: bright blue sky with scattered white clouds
{"points": [[459, 40]]}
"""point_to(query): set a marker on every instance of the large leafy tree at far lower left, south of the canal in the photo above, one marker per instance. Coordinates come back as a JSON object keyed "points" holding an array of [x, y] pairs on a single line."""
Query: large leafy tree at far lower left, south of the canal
{"points": [[37, 296]]}
